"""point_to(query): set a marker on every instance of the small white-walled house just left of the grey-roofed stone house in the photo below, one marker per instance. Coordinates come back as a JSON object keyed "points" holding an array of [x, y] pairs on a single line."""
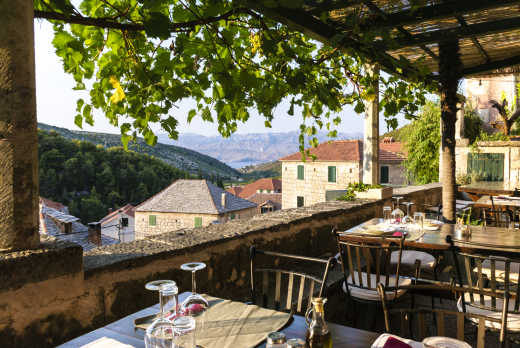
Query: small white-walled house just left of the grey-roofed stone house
{"points": [[120, 224]]}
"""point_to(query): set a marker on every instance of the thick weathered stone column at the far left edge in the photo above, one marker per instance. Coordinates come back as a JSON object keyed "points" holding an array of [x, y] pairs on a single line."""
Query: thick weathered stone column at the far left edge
{"points": [[18, 132]]}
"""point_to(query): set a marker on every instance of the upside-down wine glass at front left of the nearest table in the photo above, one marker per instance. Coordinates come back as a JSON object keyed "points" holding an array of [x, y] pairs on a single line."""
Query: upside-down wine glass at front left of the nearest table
{"points": [[160, 333]]}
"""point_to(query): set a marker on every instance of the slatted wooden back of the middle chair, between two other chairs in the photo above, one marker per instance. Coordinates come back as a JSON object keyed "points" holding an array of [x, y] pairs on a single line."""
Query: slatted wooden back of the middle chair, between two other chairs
{"points": [[365, 255]]}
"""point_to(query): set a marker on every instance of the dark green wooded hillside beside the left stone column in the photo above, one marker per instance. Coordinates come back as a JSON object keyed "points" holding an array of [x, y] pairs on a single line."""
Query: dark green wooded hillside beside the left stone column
{"points": [[91, 179]]}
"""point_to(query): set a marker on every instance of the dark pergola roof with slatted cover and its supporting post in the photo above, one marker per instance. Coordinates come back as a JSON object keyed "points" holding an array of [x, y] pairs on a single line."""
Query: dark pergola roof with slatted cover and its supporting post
{"points": [[451, 38]]}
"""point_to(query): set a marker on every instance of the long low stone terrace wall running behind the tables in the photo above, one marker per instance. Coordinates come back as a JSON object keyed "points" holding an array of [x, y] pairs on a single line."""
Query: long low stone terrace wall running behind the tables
{"points": [[51, 295]]}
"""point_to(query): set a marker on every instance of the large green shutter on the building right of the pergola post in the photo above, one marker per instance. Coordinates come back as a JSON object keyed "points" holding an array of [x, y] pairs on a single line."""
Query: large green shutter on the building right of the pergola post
{"points": [[489, 166]]}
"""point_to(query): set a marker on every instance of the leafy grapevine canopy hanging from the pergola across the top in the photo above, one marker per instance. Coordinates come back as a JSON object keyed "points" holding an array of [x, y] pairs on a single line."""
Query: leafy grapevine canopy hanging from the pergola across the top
{"points": [[228, 59]]}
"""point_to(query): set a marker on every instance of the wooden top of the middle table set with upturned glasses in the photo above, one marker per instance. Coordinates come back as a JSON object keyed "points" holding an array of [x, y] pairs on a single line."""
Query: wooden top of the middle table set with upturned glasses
{"points": [[481, 239]]}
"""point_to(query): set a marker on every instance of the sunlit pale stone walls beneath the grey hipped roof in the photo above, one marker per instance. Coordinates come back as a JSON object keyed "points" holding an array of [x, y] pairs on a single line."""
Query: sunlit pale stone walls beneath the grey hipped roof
{"points": [[168, 222]]}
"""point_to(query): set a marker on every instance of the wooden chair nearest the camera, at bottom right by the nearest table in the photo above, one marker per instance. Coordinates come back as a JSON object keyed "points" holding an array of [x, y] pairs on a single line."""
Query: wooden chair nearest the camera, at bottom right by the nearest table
{"points": [[414, 323]]}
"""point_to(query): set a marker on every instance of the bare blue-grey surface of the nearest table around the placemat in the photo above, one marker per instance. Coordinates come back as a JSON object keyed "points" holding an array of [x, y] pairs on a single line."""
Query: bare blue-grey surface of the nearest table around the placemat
{"points": [[123, 332]]}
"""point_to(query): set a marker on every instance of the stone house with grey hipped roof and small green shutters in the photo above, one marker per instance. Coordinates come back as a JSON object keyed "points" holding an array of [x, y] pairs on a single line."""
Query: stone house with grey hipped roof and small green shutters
{"points": [[189, 204]]}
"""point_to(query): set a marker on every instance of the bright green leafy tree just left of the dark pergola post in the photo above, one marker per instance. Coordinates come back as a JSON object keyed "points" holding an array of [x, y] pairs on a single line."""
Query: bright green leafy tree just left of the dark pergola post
{"points": [[423, 143]]}
